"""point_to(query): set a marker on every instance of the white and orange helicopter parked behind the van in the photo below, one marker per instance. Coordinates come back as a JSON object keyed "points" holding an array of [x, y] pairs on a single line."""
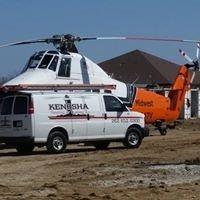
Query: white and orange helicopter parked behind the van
{"points": [[66, 65]]}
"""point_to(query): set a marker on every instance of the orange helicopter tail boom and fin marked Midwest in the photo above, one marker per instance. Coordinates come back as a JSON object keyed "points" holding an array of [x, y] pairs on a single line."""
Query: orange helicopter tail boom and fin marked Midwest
{"points": [[157, 107]]}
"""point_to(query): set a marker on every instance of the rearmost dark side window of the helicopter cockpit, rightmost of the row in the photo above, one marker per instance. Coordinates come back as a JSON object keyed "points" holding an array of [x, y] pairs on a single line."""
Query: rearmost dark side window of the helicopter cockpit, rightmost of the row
{"points": [[65, 65]]}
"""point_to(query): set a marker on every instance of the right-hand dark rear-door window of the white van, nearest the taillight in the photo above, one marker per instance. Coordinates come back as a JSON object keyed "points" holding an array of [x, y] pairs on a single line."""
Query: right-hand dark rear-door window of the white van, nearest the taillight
{"points": [[20, 105]]}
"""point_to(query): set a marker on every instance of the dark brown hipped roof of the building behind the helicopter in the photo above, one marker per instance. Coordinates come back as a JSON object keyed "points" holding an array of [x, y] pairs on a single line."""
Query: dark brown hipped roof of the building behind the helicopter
{"points": [[143, 67]]}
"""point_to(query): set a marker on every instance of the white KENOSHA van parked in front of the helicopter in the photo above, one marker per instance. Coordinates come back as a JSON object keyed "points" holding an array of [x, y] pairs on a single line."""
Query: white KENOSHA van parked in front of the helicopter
{"points": [[30, 119]]}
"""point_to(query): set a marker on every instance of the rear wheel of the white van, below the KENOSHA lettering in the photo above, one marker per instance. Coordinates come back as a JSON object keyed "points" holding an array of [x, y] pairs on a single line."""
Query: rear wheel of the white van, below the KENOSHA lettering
{"points": [[56, 142]]}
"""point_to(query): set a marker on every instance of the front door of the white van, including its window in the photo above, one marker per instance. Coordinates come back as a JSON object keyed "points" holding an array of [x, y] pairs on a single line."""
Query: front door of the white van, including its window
{"points": [[116, 117]]}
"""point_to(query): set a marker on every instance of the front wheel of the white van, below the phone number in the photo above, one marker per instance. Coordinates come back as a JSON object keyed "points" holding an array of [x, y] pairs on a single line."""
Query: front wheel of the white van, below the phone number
{"points": [[133, 138]]}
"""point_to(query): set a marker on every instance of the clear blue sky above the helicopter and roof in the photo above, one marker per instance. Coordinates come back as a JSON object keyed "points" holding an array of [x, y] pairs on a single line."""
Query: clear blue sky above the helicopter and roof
{"points": [[22, 19]]}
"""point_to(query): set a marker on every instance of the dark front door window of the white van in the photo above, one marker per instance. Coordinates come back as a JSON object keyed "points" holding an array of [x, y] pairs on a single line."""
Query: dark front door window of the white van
{"points": [[113, 104]]}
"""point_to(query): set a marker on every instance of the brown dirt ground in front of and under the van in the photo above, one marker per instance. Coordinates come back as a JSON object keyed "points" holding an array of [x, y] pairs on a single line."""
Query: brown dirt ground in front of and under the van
{"points": [[164, 167]]}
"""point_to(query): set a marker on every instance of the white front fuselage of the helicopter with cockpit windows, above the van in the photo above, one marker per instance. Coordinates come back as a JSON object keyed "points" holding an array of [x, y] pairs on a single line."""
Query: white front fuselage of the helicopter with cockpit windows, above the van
{"points": [[52, 67]]}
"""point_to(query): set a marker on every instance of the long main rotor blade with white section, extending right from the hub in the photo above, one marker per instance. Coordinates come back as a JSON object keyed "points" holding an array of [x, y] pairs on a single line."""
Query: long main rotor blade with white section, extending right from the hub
{"points": [[140, 38]]}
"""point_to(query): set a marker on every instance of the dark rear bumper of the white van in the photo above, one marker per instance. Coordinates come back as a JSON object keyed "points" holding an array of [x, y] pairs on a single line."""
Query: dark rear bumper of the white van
{"points": [[16, 140]]}
